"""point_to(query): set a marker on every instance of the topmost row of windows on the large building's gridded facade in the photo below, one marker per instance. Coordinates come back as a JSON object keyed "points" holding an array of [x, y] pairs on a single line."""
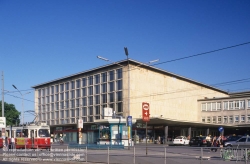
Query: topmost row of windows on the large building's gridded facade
{"points": [[84, 82]]}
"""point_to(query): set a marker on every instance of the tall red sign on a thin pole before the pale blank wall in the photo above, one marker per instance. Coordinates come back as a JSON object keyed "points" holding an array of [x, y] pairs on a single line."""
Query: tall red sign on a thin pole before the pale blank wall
{"points": [[146, 118]]}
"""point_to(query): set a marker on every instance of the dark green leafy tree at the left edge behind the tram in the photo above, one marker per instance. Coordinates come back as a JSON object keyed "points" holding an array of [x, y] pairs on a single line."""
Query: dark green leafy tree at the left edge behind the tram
{"points": [[11, 114]]}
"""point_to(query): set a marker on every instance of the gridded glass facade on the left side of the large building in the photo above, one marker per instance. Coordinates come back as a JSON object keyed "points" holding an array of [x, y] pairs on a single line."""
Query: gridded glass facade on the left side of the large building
{"points": [[83, 97]]}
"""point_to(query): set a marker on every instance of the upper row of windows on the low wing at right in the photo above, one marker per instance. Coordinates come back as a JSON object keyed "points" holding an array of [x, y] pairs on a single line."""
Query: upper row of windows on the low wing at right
{"points": [[227, 105]]}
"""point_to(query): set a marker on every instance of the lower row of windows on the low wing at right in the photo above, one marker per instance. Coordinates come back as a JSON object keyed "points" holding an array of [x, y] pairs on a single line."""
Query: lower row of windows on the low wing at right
{"points": [[226, 119]]}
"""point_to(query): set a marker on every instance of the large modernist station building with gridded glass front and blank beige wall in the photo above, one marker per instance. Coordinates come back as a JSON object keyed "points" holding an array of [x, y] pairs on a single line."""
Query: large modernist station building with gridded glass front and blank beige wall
{"points": [[175, 101]]}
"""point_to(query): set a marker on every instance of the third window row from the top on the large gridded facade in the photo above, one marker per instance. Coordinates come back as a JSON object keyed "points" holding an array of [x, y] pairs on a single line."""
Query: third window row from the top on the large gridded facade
{"points": [[85, 101]]}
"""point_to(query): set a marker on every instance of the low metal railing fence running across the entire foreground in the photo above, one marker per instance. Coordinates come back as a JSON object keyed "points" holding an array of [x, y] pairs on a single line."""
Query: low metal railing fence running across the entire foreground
{"points": [[139, 154]]}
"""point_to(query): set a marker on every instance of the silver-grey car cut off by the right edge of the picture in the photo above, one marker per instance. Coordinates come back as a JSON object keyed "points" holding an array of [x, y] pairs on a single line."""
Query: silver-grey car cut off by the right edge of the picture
{"points": [[242, 142]]}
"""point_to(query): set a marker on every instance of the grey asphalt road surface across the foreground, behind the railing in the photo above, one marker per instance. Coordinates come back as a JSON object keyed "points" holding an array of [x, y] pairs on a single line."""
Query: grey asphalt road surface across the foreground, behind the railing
{"points": [[140, 154]]}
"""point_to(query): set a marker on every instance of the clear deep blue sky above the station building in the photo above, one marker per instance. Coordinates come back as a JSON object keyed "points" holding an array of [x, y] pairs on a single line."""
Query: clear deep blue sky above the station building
{"points": [[44, 40]]}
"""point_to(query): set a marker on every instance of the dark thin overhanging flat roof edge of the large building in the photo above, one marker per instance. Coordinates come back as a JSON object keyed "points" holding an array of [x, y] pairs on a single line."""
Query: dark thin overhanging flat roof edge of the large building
{"points": [[124, 62]]}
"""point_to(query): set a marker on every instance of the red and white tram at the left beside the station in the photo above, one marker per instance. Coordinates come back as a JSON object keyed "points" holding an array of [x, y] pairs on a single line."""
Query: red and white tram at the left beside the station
{"points": [[30, 136]]}
